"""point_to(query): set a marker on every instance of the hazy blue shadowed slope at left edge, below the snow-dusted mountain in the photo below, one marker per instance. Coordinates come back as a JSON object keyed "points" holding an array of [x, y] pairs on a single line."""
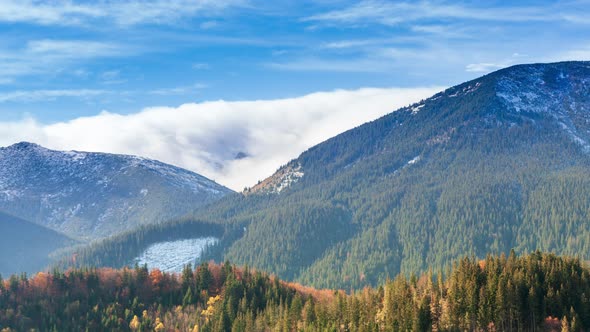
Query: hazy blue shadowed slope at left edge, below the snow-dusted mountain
{"points": [[26, 246]]}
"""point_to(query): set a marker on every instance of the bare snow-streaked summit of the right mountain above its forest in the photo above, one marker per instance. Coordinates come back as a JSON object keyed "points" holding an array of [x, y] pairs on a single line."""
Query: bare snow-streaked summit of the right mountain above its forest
{"points": [[522, 95]]}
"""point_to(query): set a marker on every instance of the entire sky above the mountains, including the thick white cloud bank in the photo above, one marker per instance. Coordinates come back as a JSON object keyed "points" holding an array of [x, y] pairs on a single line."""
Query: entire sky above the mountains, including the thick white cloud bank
{"points": [[195, 82]]}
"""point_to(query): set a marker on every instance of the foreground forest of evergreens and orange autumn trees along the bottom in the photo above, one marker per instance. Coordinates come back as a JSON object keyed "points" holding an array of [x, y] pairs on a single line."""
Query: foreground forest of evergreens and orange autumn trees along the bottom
{"points": [[533, 292]]}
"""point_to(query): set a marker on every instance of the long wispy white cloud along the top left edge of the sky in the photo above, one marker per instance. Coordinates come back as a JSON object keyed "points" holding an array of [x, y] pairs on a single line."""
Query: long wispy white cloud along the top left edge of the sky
{"points": [[121, 12]]}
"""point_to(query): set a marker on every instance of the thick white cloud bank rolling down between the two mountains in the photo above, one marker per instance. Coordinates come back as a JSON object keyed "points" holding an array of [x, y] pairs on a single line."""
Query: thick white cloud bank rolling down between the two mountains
{"points": [[206, 137]]}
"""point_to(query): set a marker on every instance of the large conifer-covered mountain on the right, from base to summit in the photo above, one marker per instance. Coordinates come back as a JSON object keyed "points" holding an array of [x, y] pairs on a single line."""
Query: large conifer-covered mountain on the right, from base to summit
{"points": [[496, 164]]}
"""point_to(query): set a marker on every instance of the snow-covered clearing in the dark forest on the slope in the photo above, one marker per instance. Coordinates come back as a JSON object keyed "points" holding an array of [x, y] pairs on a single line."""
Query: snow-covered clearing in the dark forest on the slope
{"points": [[171, 256]]}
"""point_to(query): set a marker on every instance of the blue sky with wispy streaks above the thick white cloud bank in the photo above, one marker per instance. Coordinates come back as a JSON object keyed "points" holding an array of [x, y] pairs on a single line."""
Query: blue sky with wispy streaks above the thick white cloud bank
{"points": [[62, 60]]}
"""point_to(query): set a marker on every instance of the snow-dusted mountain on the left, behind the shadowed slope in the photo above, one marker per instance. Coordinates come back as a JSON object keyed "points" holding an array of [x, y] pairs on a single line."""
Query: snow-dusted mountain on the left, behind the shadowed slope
{"points": [[92, 195]]}
